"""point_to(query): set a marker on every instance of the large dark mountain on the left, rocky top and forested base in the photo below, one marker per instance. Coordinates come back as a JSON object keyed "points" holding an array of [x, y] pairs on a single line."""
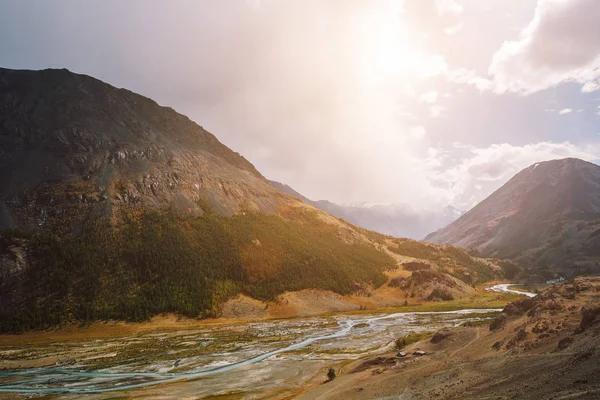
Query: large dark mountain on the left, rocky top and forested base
{"points": [[113, 207]]}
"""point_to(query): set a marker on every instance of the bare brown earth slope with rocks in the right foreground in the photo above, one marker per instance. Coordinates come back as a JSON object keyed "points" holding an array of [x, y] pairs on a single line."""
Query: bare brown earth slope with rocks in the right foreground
{"points": [[545, 348]]}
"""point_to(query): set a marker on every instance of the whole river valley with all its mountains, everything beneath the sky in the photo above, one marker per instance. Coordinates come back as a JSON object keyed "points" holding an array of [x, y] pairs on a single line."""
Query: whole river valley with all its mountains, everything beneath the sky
{"points": [[142, 258]]}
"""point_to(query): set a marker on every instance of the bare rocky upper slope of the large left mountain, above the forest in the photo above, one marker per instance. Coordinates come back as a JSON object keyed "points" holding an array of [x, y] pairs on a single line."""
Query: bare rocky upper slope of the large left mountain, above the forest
{"points": [[72, 146]]}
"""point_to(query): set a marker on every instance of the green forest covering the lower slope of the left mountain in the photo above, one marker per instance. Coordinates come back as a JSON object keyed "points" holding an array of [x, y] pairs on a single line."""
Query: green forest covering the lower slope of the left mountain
{"points": [[156, 262]]}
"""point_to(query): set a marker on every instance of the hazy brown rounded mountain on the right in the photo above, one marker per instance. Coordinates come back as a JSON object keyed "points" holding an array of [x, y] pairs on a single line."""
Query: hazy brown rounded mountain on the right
{"points": [[547, 216]]}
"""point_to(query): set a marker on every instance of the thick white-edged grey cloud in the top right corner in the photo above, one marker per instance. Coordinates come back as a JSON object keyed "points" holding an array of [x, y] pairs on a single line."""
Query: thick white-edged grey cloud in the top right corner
{"points": [[560, 44]]}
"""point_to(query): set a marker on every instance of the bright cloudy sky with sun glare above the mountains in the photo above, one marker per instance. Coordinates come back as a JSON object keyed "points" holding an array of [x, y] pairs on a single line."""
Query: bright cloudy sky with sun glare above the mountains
{"points": [[421, 102]]}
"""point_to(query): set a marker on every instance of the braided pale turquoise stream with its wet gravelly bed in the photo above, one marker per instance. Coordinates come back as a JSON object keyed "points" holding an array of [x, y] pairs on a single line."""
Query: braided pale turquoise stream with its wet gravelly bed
{"points": [[219, 360]]}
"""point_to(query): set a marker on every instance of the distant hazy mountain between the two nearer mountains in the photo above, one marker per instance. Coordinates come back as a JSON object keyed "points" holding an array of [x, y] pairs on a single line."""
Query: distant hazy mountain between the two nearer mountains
{"points": [[399, 220]]}
